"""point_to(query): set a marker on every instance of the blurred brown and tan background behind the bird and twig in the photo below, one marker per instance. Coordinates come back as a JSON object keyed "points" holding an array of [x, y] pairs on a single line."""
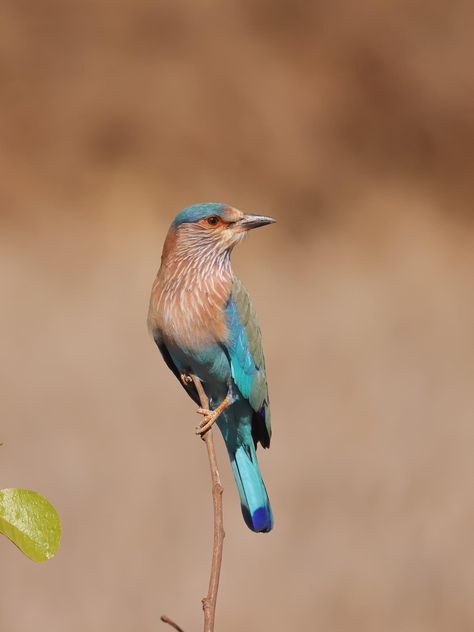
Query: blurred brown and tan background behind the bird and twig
{"points": [[353, 125]]}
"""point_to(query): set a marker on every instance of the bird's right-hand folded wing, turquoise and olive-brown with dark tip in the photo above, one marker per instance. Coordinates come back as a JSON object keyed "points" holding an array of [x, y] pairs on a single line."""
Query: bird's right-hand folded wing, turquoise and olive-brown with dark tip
{"points": [[247, 361]]}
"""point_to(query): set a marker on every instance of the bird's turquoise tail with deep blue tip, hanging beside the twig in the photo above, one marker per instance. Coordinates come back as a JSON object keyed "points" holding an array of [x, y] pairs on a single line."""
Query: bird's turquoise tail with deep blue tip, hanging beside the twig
{"points": [[254, 500]]}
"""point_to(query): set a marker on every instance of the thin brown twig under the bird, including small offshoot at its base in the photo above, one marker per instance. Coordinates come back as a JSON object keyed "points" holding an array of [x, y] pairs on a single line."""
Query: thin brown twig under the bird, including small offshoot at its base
{"points": [[210, 600]]}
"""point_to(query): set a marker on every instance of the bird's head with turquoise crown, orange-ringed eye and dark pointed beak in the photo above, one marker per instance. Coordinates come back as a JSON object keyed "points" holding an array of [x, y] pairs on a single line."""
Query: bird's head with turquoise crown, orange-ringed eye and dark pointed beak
{"points": [[213, 227]]}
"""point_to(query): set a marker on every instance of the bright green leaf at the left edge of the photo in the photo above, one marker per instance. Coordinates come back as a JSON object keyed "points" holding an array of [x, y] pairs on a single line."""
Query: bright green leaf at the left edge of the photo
{"points": [[31, 522]]}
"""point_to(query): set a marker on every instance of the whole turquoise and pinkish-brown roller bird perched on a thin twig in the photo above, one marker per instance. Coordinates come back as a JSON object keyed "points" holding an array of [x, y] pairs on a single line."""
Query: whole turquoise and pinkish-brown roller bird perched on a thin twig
{"points": [[204, 324]]}
